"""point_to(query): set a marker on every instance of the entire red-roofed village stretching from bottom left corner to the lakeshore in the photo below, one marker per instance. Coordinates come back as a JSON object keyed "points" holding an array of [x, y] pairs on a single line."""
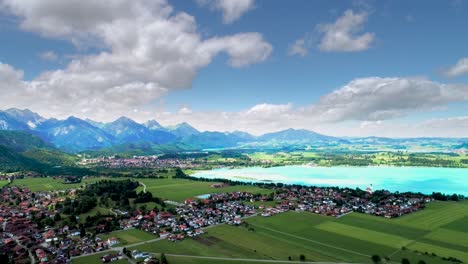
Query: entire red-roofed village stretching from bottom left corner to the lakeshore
{"points": [[52, 242]]}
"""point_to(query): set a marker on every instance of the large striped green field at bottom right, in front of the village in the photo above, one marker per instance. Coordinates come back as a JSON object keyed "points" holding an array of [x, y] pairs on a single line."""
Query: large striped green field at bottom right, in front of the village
{"points": [[353, 238]]}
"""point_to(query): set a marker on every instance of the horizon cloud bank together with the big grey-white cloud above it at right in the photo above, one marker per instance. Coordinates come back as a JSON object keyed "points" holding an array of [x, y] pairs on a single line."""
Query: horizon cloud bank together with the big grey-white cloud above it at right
{"points": [[362, 107]]}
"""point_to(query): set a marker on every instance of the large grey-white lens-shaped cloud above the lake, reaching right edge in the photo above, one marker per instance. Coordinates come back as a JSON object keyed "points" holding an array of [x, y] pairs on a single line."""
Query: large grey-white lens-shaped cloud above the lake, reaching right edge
{"points": [[375, 98]]}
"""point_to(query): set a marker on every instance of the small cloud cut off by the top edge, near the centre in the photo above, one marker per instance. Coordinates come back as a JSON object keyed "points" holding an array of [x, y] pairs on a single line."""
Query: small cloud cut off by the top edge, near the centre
{"points": [[232, 9]]}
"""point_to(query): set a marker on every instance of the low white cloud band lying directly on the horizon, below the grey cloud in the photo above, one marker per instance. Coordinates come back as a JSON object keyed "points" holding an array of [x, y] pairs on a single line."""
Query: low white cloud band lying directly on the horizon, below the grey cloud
{"points": [[264, 118]]}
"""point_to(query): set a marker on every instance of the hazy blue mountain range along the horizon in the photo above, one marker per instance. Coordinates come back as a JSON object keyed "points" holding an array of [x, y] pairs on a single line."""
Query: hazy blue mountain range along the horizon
{"points": [[125, 135]]}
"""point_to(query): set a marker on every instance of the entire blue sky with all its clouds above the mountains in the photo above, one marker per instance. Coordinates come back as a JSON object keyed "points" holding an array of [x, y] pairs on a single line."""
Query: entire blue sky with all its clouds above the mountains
{"points": [[417, 43]]}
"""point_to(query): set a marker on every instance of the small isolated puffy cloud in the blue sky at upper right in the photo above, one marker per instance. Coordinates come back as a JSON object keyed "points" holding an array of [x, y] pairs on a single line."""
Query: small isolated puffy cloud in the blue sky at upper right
{"points": [[344, 34]]}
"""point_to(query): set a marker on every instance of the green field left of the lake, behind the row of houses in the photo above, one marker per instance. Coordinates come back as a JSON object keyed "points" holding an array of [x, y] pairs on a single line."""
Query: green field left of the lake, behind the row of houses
{"points": [[181, 189]]}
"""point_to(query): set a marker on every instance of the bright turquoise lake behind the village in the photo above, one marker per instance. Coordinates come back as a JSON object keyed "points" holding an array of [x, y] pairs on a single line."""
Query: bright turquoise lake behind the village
{"points": [[415, 179]]}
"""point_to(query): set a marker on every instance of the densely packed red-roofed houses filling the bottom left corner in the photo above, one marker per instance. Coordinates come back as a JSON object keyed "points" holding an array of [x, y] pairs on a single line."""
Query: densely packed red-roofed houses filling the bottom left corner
{"points": [[25, 241]]}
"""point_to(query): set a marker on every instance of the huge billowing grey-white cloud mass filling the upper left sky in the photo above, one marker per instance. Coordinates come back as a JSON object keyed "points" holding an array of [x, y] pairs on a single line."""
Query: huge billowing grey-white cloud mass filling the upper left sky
{"points": [[147, 50]]}
